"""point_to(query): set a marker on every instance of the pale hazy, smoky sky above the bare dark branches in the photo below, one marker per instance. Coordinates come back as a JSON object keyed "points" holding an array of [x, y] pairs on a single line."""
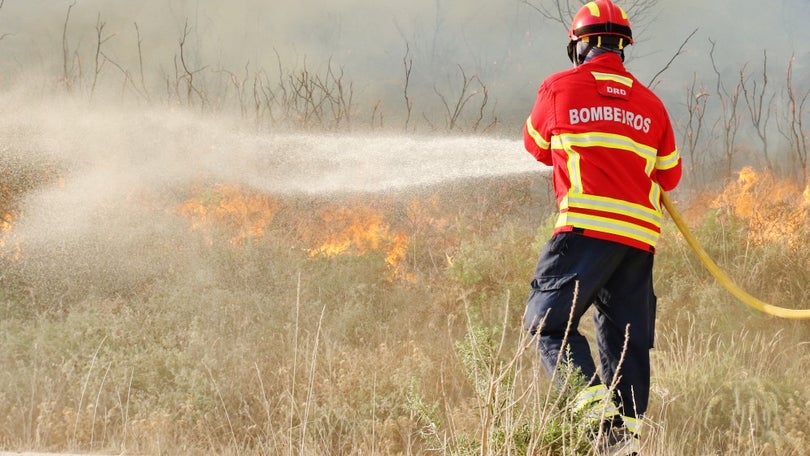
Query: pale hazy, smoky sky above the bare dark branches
{"points": [[505, 41]]}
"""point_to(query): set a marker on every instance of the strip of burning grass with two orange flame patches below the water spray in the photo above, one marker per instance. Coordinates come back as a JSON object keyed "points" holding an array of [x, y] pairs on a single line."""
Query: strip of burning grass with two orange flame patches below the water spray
{"points": [[330, 229]]}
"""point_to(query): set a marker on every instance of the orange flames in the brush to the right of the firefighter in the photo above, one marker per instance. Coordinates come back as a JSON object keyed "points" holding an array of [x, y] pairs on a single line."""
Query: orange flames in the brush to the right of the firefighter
{"points": [[776, 209]]}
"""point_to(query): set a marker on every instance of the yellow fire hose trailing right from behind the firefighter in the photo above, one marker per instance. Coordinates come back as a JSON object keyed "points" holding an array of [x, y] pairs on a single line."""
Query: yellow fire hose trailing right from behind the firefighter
{"points": [[721, 276]]}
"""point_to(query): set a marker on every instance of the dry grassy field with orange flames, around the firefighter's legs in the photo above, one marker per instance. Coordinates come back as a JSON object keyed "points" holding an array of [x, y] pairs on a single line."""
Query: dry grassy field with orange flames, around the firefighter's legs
{"points": [[382, 324]]}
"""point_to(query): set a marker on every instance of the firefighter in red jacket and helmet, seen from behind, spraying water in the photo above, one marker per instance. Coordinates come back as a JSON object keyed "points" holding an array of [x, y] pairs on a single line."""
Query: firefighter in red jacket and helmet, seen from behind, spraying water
{"points": [[612, 150]]}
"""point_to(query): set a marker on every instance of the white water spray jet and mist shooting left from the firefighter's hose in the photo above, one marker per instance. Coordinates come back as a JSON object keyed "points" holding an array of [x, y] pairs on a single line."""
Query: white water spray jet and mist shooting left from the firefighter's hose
{"points": [[109, 216]]}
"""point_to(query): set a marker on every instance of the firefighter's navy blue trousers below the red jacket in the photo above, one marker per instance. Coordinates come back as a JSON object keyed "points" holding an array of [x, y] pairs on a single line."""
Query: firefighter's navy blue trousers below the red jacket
{"points": [[575, 272]]}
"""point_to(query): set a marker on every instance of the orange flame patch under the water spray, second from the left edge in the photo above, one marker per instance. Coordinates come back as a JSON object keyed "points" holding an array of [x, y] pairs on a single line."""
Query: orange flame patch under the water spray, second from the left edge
{"points": [[248, 214]]}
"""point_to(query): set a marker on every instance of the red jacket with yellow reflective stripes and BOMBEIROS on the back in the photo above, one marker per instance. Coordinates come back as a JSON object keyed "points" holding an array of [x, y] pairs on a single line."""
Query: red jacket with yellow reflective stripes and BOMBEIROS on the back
{"points": [[612, 148]]}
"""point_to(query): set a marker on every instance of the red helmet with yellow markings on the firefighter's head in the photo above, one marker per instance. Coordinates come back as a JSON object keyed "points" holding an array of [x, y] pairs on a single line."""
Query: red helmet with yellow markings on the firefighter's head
{"points": [[601, 17]]}
